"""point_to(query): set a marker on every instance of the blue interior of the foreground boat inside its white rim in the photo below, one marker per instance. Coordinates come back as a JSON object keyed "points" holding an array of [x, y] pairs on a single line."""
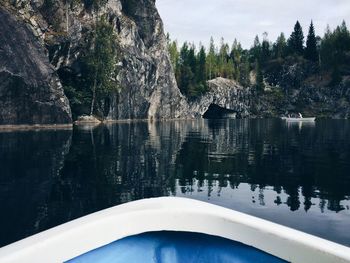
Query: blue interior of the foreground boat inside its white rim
{"points": [[175, 247]]}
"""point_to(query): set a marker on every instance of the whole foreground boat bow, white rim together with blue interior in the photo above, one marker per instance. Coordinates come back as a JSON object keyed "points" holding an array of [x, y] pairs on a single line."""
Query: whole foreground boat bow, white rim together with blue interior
{"points": [[170, 230]]}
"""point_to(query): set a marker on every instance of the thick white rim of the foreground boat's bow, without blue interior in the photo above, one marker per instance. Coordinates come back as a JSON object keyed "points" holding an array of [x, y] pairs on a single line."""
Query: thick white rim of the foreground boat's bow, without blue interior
{"points": [[80, 236]]}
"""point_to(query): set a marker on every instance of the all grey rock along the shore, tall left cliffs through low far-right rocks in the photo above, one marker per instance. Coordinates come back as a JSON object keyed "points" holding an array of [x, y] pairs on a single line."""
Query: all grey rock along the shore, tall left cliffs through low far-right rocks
{"points": [[42, 49]]}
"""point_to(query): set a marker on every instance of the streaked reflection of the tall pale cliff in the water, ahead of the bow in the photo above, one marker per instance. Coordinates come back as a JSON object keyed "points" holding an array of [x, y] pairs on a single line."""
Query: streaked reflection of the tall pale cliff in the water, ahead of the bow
{"points": [[109, 165]]}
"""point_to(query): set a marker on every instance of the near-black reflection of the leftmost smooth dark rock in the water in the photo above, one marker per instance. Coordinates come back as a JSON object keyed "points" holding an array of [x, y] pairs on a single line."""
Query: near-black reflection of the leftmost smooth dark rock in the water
{"points": [[30, 164]]}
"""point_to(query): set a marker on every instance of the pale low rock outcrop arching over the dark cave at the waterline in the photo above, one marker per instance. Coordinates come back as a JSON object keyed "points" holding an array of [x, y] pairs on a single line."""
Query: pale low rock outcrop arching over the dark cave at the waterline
{"points": [[225, 93]]}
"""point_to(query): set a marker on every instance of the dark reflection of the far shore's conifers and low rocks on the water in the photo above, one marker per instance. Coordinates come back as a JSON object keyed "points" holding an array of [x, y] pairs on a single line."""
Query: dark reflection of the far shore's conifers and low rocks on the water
{"points": [[312, 162]]}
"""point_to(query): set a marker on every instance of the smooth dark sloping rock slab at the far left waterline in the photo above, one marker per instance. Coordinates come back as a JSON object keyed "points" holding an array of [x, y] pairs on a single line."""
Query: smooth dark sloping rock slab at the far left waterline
{"points": [[30, 91]]}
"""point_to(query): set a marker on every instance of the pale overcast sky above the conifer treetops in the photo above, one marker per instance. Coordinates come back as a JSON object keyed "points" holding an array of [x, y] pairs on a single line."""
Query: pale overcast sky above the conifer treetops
{"points": [[197, 20]]}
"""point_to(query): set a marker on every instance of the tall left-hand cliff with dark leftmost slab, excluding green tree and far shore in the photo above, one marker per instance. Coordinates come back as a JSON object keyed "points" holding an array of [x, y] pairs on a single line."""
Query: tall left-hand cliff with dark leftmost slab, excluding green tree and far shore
{"points": [[50, 38]]}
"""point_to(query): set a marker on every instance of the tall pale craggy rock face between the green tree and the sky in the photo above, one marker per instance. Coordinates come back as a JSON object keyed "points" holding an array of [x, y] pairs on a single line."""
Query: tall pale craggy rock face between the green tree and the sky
{"points": [[148, 85]]}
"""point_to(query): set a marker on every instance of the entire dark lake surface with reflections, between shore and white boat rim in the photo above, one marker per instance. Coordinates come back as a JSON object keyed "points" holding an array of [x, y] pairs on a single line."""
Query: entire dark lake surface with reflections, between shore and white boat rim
{"points": [[295, 175]]}
